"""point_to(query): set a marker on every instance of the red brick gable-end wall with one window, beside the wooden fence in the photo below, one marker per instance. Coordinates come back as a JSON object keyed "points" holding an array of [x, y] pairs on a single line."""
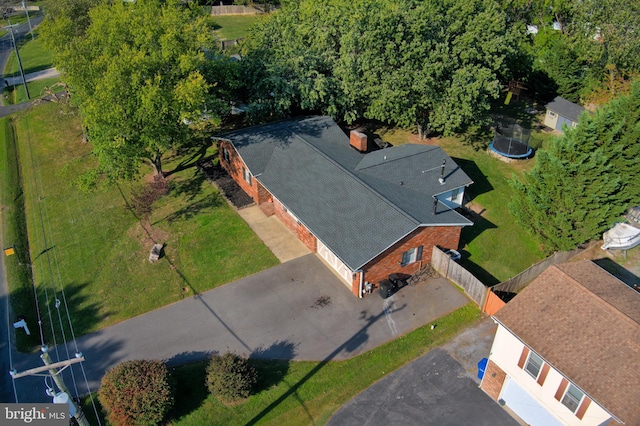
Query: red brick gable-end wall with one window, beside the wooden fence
{"points": [[389, 262]]}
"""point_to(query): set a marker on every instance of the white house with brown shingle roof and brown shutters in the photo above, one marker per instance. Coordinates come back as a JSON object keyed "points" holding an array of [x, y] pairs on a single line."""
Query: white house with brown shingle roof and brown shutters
{"points": [[566, 349]]}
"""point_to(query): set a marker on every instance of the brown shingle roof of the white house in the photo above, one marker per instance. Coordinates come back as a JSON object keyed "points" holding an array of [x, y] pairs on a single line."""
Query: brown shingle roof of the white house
{"points": [[586, 324]]}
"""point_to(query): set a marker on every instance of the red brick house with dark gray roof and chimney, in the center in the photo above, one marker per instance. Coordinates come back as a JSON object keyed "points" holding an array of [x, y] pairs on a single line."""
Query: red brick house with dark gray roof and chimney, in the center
{"points": [[366, 214]]}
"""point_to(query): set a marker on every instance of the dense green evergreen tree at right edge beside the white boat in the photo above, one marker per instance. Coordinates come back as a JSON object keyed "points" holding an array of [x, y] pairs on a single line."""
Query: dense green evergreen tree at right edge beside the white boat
{"points": [[586, 179]]}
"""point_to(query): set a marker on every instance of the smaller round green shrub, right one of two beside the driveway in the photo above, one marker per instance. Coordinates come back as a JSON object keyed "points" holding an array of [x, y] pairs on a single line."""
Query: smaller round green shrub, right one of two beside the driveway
{"points": [[230, 377]]}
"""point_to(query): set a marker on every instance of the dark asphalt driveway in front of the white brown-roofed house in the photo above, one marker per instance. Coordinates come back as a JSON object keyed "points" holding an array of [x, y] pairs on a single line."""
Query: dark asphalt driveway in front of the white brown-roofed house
{"points": [[440, 388]]}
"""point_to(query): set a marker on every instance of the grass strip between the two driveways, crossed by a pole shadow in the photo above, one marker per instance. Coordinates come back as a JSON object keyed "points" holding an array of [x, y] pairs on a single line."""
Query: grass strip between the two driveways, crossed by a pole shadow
{"points": [[297, 393]]}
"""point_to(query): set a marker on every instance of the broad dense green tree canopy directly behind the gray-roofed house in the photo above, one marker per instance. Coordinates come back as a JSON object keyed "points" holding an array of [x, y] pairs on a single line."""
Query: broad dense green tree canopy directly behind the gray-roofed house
{"points": [[435, 65]]}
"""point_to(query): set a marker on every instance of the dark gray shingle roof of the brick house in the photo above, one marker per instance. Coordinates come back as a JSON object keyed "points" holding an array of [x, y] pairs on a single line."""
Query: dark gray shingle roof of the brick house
{"points": [[357, 204]]}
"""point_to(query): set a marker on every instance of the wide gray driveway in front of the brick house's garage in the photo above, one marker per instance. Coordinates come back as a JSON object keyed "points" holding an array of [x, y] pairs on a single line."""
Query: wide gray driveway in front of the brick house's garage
{"points": [[296, 310]]}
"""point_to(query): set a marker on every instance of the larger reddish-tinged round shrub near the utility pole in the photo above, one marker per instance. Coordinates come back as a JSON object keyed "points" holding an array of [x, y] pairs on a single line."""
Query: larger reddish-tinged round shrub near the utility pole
{"points": [[136, 393]]}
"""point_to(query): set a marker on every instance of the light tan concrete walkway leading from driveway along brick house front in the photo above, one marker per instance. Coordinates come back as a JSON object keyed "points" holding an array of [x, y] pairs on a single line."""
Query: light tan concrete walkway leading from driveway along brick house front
{"points": [[282, 243]]}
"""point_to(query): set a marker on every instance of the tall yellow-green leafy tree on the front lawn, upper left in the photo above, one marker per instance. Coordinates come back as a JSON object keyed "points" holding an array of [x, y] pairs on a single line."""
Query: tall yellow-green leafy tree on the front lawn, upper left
{"points": [[137, 73]]}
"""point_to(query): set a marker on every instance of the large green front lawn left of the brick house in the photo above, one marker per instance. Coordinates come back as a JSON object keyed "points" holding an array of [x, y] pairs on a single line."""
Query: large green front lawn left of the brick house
{"points": [[100, 249]]}
